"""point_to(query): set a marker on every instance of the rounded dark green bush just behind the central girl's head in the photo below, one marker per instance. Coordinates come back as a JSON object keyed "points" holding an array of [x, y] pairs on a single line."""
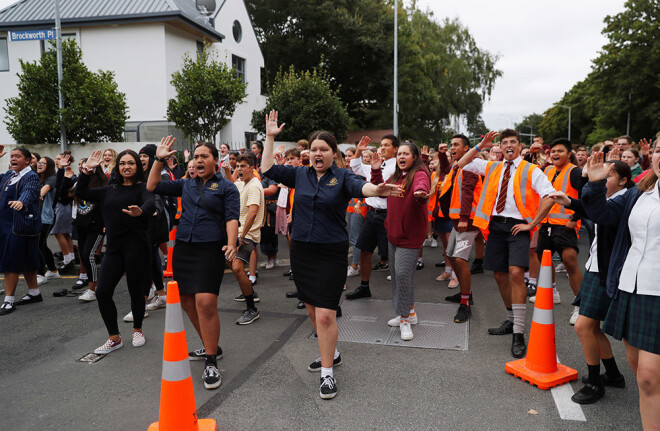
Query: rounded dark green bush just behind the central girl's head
{"points": [[305, 103]]}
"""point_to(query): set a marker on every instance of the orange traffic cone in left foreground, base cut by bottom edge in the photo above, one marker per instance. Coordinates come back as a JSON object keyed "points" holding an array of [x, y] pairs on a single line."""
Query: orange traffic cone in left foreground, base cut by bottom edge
{"points": [[178, 411]]}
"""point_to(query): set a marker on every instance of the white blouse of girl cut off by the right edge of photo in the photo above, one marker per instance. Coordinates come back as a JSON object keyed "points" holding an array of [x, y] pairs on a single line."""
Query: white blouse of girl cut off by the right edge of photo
{"points": [[643, 260]]}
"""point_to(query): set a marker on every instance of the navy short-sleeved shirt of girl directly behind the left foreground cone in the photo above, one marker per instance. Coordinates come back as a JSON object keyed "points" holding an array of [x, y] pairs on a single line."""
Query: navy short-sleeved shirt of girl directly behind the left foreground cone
{"points": [[196, 223]]}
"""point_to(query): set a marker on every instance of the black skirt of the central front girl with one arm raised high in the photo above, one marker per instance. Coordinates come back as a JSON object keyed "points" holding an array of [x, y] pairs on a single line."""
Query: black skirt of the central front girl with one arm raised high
{"points": [[319, 271]]}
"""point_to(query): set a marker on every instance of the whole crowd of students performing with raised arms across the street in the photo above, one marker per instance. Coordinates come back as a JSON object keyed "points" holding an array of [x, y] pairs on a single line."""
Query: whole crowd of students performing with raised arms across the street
{"points": [[507, 201]]}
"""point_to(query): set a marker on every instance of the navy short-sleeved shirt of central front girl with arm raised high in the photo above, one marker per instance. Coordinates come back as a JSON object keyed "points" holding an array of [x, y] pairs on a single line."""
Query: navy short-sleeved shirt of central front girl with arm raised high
{"points": [[319, 205]]}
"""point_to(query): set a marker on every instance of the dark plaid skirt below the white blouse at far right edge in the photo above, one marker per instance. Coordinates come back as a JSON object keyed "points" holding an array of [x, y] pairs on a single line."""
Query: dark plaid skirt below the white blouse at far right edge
{"points": [[637, 319]]}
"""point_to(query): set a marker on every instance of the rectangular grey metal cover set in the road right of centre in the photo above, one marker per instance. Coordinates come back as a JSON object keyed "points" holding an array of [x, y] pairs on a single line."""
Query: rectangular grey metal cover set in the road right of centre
{"points": [[365, 321]]}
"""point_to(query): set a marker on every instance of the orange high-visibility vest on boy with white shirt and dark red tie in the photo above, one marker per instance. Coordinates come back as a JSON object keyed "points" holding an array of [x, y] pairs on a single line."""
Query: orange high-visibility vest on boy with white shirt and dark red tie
{"points": [[527, 200]]}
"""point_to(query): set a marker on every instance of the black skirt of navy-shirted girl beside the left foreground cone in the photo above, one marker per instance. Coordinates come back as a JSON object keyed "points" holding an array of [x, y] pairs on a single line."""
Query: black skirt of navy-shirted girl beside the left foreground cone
{"points": [[198, 267]]}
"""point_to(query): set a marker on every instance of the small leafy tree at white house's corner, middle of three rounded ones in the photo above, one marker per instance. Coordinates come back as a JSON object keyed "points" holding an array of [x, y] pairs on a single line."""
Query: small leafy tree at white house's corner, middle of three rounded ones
{"points": [[207, 93]]}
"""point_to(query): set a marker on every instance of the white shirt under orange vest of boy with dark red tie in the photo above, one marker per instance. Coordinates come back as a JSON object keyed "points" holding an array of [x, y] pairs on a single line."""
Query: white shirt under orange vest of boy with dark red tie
{"points": [[540, 184]]}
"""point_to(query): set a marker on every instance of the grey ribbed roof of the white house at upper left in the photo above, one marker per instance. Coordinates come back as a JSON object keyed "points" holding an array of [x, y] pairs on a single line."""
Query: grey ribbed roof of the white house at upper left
{"points": [[32, 14]]}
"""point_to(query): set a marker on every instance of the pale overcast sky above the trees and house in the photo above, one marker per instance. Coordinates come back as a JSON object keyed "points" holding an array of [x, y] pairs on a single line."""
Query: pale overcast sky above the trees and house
{"points": [[545, 47]]}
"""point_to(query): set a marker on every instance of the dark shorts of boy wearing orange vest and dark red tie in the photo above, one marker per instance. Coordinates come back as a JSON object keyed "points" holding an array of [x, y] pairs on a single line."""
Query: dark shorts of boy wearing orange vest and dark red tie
{"points": [[503, 249]]}
